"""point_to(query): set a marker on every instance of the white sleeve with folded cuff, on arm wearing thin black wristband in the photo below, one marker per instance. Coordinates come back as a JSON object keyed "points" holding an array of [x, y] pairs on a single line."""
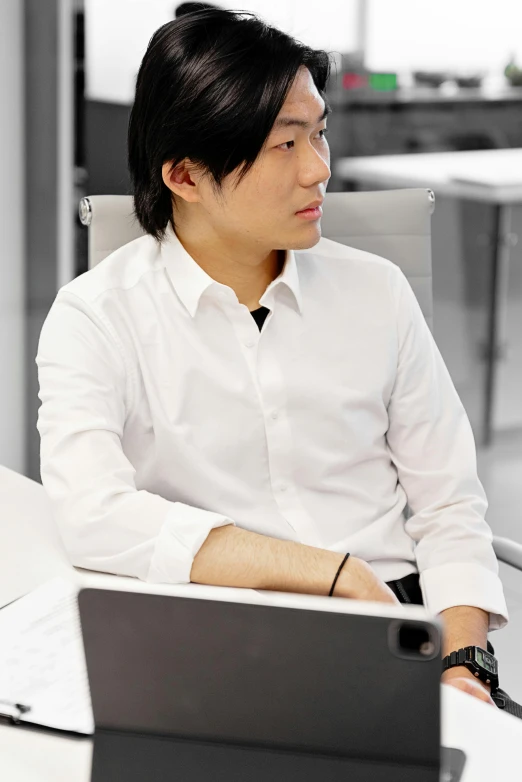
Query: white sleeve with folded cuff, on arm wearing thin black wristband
{"points": [[105, 522]]}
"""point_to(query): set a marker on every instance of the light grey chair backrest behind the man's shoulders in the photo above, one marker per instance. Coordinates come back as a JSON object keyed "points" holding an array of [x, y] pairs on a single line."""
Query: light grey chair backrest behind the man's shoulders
{"points": [[395, 224]]}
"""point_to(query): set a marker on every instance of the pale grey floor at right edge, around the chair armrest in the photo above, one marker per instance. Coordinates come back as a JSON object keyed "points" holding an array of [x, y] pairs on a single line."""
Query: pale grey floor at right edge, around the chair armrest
{"points": [[500, 470]]}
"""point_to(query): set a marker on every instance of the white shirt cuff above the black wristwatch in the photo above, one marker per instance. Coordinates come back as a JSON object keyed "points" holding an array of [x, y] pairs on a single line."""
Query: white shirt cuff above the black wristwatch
{"points": [[465, 583]]}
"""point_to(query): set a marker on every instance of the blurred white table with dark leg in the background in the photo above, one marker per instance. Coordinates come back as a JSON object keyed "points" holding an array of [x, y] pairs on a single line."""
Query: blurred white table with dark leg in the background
{"points": [[494, 177]]}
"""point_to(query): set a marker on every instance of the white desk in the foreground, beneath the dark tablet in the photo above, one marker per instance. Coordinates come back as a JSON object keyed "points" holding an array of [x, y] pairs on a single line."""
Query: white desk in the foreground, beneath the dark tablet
{"points": [[31, 553]]}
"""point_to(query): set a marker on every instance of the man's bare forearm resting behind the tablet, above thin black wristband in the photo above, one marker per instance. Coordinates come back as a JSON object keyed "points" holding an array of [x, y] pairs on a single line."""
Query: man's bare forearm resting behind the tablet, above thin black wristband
{"points": [[231, 556]]}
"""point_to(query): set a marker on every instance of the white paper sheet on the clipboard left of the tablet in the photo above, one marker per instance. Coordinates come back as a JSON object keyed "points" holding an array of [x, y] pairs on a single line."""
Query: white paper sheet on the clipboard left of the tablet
{"points": [[42, 661]]}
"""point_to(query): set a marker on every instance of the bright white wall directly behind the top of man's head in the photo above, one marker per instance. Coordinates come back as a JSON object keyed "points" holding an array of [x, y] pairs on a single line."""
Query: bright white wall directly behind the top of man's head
{"points": [[118, 31]]}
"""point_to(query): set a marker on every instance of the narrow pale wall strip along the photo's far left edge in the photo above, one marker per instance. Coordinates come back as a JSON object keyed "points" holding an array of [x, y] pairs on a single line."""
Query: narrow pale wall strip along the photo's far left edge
{"points": [[12, 255]]}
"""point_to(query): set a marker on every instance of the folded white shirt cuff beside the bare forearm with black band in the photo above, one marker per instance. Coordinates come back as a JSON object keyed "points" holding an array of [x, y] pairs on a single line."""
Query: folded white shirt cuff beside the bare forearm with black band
{"points": [[183, 533]]}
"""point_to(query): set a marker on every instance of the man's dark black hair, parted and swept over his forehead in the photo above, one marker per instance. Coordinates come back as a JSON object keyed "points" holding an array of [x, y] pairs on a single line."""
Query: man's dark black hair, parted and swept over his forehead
{"points": [[209, 88]]}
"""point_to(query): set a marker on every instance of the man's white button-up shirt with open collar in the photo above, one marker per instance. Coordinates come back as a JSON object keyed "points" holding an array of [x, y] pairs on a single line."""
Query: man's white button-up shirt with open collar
{"points": [[166, 412]]}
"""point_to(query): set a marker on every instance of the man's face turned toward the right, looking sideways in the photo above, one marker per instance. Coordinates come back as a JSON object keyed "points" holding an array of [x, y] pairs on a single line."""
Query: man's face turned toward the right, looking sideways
{"points": [[292, 170]]}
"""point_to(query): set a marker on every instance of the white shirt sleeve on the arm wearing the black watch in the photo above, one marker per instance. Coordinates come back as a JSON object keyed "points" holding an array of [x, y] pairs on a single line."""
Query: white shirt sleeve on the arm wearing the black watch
{"points": [[432, 445]]}
